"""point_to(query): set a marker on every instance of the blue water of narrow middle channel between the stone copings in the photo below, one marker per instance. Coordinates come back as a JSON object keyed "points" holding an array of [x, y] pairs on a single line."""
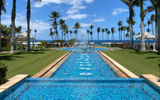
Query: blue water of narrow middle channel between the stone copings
{"points": [[84, 65]]}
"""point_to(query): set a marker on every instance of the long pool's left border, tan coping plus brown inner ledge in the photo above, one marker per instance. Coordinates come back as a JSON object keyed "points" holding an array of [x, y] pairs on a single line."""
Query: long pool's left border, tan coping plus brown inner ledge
{"points": [[53, 65]]}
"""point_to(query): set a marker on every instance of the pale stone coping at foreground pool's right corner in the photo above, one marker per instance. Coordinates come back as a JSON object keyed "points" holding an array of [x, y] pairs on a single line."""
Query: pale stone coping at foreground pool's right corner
{"points": [[151, 78]]}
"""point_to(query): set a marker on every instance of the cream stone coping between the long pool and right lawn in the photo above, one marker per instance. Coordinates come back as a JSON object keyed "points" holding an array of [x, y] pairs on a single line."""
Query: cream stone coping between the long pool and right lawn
{"points": [[128, 73]]}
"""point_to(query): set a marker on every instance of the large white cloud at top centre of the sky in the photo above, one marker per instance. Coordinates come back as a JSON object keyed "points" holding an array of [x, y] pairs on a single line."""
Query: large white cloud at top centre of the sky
{"points": [[74, 7]]}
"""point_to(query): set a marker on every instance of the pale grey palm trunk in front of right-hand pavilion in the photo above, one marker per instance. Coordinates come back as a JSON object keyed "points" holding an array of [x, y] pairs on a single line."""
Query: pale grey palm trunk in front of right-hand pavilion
{"points": [[142, 35]]}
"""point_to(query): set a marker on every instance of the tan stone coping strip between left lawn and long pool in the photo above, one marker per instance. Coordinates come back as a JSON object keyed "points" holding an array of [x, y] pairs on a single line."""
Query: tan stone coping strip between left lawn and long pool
{"points": [[50, 66]]}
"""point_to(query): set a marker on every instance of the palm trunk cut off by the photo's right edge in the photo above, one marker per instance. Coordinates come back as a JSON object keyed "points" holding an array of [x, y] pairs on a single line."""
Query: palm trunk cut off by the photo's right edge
{"points": [[158, 24]]}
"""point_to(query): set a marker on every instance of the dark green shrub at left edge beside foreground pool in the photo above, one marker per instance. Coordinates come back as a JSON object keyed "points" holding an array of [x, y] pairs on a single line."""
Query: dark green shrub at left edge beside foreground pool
{"points": [[3, 72]]}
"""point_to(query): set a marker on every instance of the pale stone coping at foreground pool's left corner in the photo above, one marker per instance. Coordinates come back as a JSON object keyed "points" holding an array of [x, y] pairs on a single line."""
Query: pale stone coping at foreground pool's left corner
{"points": [[12, 81]]}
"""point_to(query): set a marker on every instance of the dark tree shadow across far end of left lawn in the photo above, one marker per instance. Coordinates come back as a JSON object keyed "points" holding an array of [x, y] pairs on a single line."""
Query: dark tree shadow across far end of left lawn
{"points": [[18, 55]]}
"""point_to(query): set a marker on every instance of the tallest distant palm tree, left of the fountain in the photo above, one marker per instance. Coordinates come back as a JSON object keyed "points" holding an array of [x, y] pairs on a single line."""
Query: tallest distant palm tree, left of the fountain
{"points": [[54, 16]]}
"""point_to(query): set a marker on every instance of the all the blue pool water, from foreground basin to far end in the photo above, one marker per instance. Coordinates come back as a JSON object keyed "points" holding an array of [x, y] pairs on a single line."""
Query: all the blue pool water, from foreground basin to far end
{"points": [[83, 76]]}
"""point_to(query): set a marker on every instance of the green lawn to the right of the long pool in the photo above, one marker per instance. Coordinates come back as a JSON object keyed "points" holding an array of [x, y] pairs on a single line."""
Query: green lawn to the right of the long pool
{"points": [[139, 62]]}
